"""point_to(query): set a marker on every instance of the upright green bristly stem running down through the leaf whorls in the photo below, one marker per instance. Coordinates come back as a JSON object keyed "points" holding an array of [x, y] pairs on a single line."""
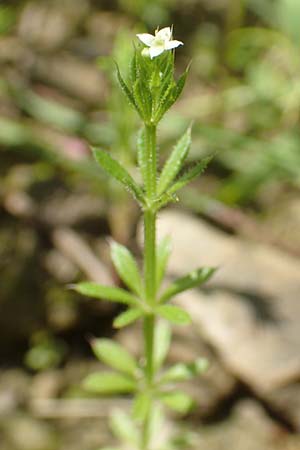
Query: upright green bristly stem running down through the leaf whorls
{"points": [[149, 270]]}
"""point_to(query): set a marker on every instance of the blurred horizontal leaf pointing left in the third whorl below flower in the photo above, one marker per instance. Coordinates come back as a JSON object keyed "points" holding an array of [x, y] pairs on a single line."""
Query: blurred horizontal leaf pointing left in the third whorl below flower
{"points": [[108, 383]]}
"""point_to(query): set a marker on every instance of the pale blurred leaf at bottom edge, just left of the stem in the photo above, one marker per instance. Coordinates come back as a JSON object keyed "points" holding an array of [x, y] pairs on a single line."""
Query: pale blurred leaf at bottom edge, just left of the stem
{"points": [[123, 427]]}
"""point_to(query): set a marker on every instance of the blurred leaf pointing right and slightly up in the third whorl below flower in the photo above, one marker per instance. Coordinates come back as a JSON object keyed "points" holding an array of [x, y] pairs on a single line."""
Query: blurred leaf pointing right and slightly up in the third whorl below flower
{"points": [[184, 372]]}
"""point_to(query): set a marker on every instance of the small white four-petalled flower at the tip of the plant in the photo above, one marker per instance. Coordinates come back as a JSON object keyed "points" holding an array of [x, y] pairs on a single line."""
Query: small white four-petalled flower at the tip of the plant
{"points": [[161, 41]]}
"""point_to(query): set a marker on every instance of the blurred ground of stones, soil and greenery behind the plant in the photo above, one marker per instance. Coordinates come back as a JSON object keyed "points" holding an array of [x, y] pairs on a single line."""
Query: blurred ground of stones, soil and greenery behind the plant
{"points": [[58, 95]]}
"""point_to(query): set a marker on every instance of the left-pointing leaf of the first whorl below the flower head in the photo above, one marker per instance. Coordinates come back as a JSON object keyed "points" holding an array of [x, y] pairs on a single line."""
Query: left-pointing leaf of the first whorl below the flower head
{"points": [[114, 168]]}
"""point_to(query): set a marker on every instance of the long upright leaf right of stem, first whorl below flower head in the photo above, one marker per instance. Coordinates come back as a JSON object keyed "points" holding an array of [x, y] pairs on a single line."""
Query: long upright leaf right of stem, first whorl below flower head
{"points": [[174, 162]]}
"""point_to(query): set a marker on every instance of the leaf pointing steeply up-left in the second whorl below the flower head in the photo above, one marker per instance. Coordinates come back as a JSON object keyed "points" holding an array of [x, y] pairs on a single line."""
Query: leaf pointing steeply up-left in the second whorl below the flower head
{"points": [[126, 267]]}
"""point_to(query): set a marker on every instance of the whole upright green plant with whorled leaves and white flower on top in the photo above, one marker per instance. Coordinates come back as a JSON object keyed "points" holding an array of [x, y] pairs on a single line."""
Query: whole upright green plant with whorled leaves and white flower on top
{"points": [[151, 90]]}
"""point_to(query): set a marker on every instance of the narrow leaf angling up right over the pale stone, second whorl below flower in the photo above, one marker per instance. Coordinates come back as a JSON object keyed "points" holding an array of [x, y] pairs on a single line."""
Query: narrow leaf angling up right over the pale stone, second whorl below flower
{"points": [[193, 279]]}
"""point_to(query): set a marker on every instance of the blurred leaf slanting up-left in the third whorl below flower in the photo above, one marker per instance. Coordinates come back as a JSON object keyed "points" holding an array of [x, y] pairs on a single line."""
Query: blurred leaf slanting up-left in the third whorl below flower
{"points": [[114, 355]]}
